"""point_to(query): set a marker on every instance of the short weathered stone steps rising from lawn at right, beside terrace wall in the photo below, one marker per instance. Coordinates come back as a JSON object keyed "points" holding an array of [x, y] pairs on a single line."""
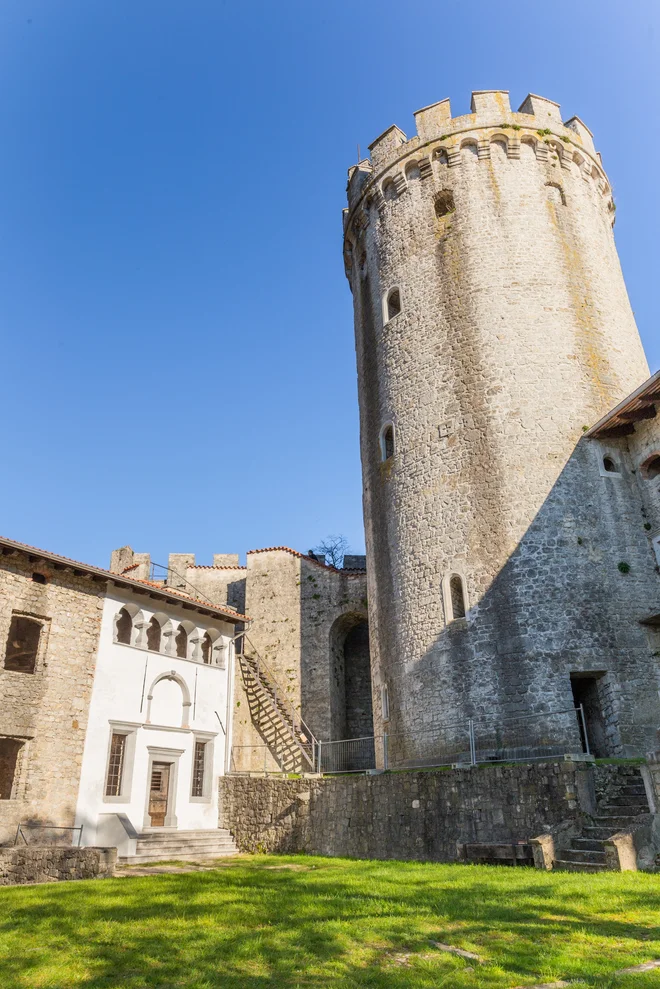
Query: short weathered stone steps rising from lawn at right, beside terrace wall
{"points": [[615, 812]]}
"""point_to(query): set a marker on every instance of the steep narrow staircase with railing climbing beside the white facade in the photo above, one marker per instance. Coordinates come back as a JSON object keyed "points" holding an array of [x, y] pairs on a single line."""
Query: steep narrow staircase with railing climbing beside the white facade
{"points": [[289, 739]]}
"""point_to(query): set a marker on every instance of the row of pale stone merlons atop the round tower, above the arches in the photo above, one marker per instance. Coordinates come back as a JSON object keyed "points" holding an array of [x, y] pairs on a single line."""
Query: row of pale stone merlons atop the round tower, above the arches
{"points": [[490, 108]]}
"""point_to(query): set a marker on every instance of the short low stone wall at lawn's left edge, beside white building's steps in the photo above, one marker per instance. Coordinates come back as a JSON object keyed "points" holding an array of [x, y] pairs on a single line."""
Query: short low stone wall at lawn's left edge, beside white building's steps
{"points": [[47, 864]]}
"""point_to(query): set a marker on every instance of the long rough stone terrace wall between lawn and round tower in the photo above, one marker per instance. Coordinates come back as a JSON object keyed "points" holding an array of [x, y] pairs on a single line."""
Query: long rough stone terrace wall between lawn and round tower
{"points": [[409, 815]]}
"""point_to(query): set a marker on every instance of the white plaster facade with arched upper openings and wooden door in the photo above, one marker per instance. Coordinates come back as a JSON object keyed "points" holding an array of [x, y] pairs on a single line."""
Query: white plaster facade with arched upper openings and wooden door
{"points": [[124, 678]]}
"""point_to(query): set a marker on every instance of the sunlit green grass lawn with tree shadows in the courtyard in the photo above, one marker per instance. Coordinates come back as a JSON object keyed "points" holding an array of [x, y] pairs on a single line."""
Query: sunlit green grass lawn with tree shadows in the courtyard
{"points": [[299, 921]]}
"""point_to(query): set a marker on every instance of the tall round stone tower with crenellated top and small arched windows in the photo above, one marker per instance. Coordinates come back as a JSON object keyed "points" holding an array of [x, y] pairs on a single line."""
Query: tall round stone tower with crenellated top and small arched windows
{"points": [[493, 327]]}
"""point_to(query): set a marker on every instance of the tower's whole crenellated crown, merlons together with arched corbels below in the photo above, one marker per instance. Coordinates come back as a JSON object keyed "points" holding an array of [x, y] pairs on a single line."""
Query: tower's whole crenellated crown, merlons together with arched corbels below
{"points": [[441, 140]]}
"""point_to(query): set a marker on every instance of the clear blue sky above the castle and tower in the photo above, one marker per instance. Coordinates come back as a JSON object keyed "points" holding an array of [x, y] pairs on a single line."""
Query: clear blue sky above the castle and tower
{"points": [[179, 368]]}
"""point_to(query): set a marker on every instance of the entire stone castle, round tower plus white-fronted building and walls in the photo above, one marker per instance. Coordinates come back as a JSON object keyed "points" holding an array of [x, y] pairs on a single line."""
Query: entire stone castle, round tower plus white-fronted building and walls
{"points": [[511, 473]]}
